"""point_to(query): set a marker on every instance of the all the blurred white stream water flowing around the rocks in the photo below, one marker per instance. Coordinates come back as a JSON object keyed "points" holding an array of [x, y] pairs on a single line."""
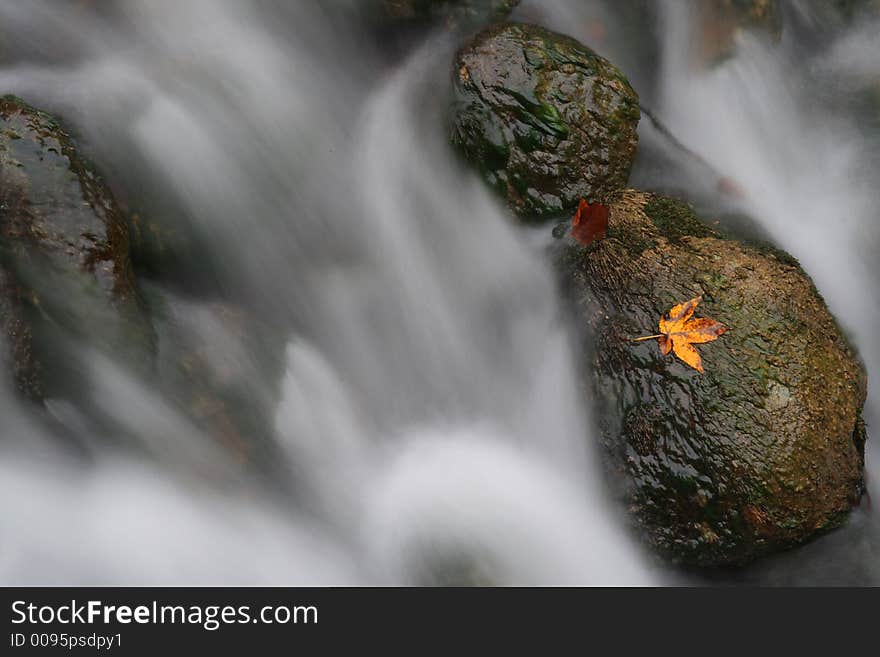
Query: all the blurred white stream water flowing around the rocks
{"points": [[419, 399]]}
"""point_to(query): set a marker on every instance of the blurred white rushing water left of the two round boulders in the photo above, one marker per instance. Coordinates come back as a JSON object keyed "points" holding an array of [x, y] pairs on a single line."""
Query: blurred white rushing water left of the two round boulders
{"points": [[428, 414]]}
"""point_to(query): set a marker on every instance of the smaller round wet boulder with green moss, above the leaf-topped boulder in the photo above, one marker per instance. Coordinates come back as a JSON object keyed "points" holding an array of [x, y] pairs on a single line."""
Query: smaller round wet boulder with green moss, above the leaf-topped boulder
{"points": [[545, 119]]}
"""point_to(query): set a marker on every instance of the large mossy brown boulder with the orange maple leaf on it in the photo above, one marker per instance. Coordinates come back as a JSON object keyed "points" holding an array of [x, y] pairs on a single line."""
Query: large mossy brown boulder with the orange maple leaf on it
{"points": [[763, 450]]}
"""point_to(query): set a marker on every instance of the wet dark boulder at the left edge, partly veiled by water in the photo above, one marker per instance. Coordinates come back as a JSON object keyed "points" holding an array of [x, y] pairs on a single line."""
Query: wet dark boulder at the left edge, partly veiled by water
{"points": [[65, 272]]}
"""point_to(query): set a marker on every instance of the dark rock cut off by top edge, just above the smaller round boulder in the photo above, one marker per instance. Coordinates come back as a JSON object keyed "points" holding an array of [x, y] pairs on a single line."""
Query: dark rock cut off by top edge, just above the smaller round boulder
{"points": [[452, 14]]}
